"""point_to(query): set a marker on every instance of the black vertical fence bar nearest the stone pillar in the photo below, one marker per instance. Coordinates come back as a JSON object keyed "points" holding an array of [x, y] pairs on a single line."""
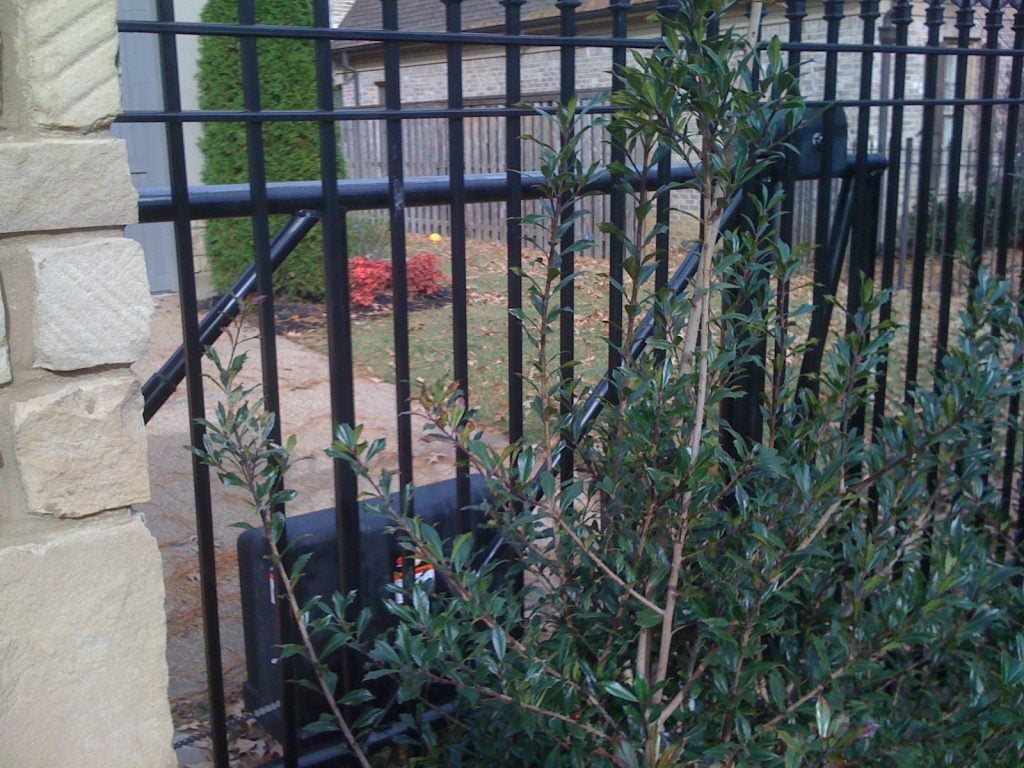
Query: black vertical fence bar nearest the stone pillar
{"points": [[194, 385]]}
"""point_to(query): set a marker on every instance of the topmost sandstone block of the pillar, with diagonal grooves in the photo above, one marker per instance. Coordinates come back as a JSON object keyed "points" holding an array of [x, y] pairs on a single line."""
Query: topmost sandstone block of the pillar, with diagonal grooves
{"points": [[68, 62]]}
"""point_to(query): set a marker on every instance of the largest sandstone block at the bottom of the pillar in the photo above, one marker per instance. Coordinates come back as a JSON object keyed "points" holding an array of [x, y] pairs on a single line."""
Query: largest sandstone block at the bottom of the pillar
{"points": [[83, 677]]}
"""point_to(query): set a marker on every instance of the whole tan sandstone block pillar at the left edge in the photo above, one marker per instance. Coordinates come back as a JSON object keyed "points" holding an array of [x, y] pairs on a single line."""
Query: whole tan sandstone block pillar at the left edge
{"points": [[83, 676]]}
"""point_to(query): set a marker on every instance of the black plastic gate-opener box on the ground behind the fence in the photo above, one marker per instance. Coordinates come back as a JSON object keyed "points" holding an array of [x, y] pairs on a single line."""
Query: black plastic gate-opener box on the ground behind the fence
{"points": [[316, 533]]}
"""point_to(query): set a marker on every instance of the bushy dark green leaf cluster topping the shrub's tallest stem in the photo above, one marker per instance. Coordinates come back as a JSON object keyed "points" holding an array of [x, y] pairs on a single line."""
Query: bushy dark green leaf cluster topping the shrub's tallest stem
{"points": [[708, 98]]}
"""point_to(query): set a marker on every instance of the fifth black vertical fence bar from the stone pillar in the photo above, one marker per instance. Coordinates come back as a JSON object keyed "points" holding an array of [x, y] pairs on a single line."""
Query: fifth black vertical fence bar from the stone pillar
{"points": [[457, 173]]}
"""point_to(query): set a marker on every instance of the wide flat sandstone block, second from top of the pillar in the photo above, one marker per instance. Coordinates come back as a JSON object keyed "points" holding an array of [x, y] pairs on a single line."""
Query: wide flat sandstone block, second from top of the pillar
{"points": [[65, 185]]}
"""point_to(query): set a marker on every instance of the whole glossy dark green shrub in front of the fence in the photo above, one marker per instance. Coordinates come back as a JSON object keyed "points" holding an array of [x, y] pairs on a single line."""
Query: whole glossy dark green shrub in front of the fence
{"points": [[820, 595]]}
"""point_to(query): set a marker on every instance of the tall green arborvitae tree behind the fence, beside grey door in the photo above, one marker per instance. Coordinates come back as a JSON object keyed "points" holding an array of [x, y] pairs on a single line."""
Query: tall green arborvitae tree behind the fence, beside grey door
{"points": [[288, 81]]}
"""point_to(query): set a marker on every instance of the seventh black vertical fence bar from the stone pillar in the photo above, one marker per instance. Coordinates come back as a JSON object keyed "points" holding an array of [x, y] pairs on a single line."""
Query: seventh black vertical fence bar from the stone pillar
{"points": [[568, 294]]}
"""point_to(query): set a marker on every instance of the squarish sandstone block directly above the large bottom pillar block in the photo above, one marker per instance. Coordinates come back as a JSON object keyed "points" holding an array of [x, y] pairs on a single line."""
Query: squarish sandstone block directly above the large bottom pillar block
{"points": [[81, 449]]}
